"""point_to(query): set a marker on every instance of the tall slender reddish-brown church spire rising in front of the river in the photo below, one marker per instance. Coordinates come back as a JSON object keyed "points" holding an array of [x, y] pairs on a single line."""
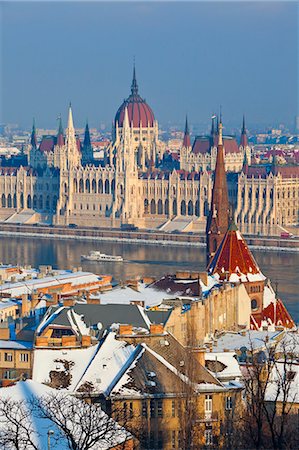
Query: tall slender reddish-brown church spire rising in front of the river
{"points": [[218, 218]]}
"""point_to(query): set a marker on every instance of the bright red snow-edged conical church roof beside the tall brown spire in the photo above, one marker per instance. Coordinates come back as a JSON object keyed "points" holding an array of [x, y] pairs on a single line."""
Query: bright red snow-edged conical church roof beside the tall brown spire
{"points": [[234, 257]]}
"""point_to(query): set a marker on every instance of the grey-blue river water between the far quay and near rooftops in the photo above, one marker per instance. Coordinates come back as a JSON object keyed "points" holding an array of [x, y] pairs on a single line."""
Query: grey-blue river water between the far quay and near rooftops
{"points": [[146, 260]]}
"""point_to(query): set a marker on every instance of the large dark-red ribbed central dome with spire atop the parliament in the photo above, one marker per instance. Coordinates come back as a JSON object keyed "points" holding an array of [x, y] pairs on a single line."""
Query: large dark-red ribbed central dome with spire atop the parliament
{"points": [[138, 110]]}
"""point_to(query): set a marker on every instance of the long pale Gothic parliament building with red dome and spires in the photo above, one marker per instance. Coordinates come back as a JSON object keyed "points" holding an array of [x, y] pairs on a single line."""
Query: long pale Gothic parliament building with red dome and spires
{"points": [[63, 184]]}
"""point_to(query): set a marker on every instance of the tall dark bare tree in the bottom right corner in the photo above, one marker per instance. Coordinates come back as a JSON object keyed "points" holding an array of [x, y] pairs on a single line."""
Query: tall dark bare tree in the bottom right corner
{"points": [[268, 421]]}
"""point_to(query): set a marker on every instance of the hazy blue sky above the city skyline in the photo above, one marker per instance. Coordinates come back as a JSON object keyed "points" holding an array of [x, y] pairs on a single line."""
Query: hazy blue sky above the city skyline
{"points": [[190, 57]]}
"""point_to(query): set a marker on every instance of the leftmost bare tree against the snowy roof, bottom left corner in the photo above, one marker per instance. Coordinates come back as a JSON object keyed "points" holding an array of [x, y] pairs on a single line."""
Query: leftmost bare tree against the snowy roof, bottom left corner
{"points": [[17, 431]]}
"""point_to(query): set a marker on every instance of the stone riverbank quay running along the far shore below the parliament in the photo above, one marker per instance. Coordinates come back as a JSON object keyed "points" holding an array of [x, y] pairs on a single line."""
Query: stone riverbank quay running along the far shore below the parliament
{"points": [[145, 237]]}
